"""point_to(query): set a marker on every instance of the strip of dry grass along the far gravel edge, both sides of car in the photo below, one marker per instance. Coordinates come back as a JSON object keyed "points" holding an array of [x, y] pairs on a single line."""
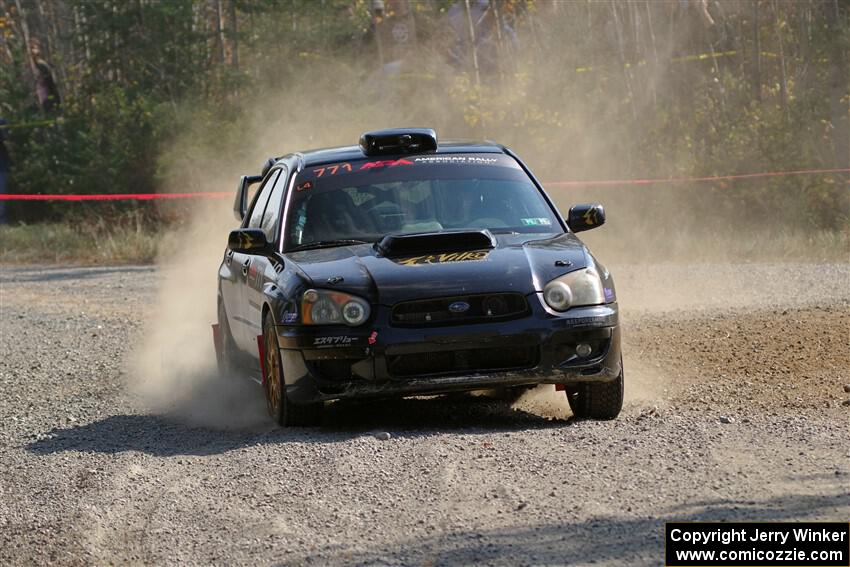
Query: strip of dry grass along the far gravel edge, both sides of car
{"points": [[131, 241]]}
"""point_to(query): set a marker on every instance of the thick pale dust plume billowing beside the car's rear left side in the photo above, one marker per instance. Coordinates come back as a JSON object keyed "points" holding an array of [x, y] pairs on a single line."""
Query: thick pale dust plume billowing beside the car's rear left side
{"points": [[175, 369]]}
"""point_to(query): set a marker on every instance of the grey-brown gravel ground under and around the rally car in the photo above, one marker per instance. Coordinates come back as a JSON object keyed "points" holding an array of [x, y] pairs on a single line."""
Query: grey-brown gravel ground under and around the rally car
{"points": [[735, 411]]}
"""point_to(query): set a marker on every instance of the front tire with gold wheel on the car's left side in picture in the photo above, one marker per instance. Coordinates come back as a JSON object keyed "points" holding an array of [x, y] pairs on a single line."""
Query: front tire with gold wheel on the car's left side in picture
{"points": [[284, 412]]}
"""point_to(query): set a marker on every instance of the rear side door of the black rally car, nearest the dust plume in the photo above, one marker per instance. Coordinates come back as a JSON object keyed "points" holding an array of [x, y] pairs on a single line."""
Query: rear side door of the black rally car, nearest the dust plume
{"points": [[242, 326]]}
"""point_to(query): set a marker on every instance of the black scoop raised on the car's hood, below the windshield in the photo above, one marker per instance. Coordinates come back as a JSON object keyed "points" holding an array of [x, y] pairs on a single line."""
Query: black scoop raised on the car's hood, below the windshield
{"points": [[396, 246]]}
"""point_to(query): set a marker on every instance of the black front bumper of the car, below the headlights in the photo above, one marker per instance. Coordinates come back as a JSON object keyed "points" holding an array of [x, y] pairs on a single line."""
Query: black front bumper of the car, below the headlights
{"points": [[326, 363]]}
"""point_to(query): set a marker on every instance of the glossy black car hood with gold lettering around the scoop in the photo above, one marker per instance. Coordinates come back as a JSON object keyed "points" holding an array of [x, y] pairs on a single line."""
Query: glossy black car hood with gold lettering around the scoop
{"points": [[521, 263]]}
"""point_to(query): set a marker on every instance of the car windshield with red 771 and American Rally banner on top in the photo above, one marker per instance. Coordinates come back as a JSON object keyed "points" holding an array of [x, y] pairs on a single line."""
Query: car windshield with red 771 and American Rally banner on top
{"points": [[364, 200]]}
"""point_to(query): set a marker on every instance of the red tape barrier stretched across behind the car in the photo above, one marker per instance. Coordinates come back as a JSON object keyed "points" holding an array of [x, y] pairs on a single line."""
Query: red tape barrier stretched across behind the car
{"points": [[598, 183]]}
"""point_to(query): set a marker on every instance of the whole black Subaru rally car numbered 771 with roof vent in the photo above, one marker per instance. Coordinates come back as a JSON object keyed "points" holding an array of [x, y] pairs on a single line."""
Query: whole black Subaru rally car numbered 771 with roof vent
{"points": [[402, 266]]}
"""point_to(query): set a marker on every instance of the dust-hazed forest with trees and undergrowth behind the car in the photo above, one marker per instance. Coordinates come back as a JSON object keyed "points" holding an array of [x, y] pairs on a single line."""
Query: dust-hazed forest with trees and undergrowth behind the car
{"points": [[147, 96]]}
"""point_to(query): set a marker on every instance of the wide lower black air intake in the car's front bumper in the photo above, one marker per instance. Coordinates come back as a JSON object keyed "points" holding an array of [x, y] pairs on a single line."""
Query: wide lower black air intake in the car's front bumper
{"points": [[462, 361]]}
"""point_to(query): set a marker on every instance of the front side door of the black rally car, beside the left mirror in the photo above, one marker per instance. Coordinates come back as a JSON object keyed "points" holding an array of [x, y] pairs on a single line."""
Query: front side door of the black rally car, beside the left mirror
{"points": [[264, 268]]}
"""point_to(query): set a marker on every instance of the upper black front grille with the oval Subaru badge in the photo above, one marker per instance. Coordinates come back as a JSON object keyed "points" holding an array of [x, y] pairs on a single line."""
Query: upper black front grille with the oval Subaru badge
{"points": [[459, 309]]}
